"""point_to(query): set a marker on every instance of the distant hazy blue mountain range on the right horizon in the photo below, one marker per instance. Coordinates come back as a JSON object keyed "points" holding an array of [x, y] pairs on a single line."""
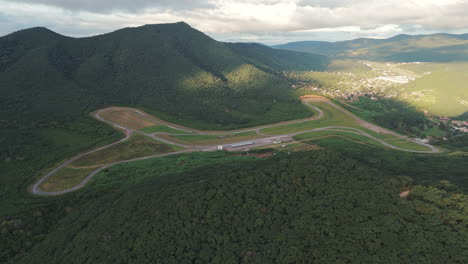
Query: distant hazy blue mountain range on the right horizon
{"points": [[400, 48]]}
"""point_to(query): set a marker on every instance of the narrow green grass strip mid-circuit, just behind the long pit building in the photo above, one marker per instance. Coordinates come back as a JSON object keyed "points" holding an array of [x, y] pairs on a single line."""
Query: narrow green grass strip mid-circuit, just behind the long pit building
{"points": [[213, 139]]}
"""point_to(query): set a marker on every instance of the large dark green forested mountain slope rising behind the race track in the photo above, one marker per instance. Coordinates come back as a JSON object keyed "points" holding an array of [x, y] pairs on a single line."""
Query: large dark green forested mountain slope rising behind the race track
{"points": [[50, 83]]}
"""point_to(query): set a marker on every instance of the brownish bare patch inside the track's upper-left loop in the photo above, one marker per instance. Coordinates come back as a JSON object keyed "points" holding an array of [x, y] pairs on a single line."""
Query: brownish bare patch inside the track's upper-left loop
{"points": [[127, 118]]}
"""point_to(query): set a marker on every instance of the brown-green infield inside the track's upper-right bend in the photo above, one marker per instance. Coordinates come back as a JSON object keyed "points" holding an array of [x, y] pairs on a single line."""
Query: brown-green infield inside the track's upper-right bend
{"points": [[332, 117]]}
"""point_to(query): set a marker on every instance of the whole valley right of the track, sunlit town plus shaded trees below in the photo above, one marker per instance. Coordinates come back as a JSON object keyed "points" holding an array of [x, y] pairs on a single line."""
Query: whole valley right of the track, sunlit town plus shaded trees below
{"points": [[420, 99]]}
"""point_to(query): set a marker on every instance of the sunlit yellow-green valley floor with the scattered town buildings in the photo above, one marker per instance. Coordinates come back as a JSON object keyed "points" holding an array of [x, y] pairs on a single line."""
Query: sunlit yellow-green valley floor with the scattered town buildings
{"points": [[427, 86]]}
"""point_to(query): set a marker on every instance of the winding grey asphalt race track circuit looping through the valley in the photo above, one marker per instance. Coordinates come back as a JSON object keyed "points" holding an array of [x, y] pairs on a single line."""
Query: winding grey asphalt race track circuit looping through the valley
{"points": [[267, 139]]}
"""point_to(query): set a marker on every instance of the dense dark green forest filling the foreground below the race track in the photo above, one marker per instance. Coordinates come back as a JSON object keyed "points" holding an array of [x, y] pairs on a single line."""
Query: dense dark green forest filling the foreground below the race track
{"points": [[316, 206]]}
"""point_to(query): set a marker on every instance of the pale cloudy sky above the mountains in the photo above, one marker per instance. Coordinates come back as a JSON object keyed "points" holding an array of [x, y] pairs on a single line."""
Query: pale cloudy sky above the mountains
{"points": [[266, 21]]}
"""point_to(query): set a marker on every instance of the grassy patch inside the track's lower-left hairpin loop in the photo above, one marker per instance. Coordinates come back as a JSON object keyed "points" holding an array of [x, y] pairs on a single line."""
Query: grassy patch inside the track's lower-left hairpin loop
{"points": [[65, 178]]}
